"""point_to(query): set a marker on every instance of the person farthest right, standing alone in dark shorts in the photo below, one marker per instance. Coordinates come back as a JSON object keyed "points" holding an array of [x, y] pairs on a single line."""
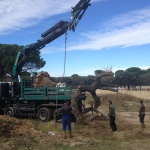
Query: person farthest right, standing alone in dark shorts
{"points": [[142, 113]]}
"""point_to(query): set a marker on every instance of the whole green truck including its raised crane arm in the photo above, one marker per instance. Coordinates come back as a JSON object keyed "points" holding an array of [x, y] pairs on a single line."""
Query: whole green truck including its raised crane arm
{"points": [[18, 100]]}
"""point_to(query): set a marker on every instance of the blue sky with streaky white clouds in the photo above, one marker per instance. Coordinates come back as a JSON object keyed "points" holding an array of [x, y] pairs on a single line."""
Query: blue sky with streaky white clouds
{"points": [[112, 33]]}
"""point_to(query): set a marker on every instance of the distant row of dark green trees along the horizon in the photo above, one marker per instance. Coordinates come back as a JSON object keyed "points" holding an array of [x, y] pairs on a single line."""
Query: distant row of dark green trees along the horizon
{"points": [[133, 76]]}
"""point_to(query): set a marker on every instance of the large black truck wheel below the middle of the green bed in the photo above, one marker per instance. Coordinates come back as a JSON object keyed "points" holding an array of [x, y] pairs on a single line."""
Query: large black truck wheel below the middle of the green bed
{"points": [[44, 114]]}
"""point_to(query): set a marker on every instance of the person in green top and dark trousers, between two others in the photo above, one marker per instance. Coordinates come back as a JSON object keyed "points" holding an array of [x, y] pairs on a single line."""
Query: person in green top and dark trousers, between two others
{"points": [[112, 115]]}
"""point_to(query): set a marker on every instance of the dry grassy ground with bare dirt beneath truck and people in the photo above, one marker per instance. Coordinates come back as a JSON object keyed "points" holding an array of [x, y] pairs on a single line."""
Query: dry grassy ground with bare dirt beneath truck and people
{"points": [[29, 134]]}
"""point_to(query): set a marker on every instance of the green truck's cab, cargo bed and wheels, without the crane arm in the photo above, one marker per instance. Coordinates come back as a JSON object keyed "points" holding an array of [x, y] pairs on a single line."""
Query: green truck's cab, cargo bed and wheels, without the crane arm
{"points": [[35, 102]]}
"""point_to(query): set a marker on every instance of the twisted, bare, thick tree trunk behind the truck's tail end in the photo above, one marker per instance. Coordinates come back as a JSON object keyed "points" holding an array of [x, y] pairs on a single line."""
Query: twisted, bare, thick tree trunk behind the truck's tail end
{"points": [[91, 89]]}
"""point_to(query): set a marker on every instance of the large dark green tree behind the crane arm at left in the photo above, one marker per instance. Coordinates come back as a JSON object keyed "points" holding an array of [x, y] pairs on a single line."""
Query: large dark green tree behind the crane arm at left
{"points": [[8, 55]]}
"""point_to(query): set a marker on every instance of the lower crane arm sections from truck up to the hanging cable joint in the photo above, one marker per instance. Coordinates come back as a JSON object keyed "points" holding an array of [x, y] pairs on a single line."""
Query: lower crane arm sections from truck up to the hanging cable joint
{"points": [[48, 36]]}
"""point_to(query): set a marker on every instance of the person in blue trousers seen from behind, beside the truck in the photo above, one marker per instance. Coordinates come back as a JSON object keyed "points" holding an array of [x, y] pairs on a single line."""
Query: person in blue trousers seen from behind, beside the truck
{"points": [[66, 118]]}
